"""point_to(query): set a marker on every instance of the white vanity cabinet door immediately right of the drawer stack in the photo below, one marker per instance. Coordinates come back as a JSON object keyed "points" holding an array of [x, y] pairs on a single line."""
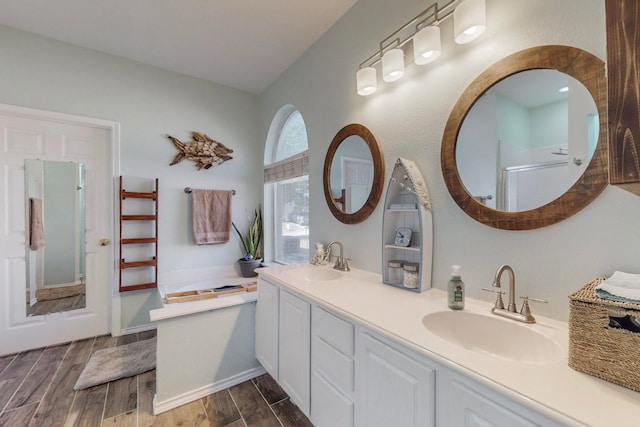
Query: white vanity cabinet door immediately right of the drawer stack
{"points": [[392, 388]]}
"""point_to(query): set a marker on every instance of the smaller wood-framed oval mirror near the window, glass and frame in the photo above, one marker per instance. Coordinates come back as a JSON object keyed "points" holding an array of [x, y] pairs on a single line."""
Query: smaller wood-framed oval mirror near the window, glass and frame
{"points": [[353, 174]]}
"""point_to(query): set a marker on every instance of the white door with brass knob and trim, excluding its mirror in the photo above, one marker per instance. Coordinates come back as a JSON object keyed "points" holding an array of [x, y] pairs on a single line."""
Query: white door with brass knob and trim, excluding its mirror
{"points": [[32, 134]]}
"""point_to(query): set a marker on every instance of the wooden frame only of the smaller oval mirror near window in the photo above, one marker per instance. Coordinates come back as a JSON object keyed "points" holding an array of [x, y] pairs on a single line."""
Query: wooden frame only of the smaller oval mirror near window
{"points": [[371, 202]]}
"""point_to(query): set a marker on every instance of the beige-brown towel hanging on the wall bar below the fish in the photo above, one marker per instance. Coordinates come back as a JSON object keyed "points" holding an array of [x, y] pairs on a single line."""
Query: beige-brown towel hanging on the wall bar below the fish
{"points": [[211, 213]]}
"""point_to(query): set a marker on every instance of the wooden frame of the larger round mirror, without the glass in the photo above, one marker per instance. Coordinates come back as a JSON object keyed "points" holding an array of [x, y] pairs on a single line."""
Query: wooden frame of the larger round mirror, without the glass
{"points": [[581, 65]]}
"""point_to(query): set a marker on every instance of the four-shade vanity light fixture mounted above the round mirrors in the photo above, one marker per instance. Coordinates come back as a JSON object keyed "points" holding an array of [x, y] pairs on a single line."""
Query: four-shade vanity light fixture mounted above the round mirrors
{"points": [[469, 22]]}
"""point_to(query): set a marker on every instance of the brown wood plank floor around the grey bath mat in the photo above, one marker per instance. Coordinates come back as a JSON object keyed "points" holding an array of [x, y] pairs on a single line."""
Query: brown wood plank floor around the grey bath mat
{"points": [[36, 390]]}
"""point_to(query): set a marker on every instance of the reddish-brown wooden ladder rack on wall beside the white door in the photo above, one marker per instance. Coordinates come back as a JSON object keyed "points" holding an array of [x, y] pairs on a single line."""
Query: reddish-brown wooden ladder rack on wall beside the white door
{"points": [[124, 241]]}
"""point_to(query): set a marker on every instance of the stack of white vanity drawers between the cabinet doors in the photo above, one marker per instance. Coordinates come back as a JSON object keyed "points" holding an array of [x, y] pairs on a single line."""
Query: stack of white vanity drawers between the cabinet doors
{"points": [[332, 370]]}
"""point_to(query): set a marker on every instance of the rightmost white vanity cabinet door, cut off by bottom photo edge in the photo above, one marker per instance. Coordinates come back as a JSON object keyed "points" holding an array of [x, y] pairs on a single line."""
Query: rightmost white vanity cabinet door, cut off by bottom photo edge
{"points": [[470, 405]]}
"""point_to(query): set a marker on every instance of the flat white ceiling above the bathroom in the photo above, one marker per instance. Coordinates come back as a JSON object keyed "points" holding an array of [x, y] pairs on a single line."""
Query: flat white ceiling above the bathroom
{"points": [[244, 44]]}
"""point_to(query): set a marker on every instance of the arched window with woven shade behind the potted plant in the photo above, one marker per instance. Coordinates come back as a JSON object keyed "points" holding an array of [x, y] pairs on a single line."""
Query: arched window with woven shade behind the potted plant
{"points": [[286, 178]]}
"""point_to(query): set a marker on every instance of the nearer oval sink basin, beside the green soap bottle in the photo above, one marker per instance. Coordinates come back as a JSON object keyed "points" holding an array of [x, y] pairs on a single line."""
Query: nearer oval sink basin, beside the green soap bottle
{"points": [[489, 334]]}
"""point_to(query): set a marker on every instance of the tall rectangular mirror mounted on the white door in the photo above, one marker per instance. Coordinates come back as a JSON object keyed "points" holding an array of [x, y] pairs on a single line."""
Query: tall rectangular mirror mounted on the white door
{"points": [[55, 236]]}
